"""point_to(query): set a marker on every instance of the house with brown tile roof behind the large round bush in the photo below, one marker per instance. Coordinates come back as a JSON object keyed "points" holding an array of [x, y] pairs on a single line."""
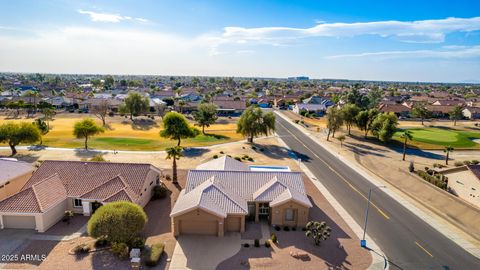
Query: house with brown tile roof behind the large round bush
{"points": [[82, 187]]}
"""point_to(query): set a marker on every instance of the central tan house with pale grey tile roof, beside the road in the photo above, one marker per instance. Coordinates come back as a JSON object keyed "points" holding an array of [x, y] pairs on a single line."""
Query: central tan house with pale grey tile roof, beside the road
{"points": [[221, 194]]}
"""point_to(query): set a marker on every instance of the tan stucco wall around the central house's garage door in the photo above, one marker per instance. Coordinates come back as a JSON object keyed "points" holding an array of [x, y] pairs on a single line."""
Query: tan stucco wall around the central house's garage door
{"points": [[197, 216]]}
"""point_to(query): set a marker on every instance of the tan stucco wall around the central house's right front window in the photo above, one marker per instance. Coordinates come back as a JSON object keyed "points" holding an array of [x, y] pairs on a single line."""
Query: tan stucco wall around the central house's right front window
{"points": [[300, 214]]}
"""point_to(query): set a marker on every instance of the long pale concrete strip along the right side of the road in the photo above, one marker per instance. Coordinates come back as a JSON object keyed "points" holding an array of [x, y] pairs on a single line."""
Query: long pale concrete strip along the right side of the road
{"points": [[439, 226]]}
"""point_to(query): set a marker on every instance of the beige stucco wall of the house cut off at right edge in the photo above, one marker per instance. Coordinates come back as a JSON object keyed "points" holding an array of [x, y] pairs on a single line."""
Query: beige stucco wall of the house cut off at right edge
{"points": [[466, 185]]}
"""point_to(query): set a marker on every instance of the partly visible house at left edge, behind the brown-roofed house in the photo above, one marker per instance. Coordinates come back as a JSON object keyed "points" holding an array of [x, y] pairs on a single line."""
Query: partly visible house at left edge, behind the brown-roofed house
{"points": [[14, 175]]}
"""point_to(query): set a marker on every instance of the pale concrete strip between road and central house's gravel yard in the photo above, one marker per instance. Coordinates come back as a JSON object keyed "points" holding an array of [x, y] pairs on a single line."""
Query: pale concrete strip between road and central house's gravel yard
{"points": [[379, 260]]}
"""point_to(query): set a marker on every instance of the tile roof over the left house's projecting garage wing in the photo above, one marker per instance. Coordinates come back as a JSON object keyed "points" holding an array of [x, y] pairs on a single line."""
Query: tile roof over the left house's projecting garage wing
{"points": [[37, 198]]}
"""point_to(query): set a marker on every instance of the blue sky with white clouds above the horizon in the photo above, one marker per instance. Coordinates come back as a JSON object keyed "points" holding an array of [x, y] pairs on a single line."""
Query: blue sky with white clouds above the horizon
{"points": [[371, 40]]}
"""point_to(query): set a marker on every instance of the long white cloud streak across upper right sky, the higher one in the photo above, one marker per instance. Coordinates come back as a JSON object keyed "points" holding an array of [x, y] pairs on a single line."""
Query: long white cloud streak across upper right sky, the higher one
{"points": [[424, 31]]}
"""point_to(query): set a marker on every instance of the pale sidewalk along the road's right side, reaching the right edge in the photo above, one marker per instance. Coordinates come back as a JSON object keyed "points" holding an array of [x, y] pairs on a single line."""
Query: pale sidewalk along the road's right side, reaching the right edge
{"points": [[448, 230]]}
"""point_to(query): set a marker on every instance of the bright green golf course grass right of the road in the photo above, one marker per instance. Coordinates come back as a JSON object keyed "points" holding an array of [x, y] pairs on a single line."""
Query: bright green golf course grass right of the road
{"points": [[438, 138]]}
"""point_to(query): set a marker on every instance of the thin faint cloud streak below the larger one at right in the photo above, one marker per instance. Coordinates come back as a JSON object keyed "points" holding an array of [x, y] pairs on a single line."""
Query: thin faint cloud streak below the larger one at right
{"points": [[446, 53]]}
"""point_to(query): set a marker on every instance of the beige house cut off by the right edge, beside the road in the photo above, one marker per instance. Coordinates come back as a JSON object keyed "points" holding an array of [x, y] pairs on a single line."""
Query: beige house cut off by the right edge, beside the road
{"points": [[464, 182]]}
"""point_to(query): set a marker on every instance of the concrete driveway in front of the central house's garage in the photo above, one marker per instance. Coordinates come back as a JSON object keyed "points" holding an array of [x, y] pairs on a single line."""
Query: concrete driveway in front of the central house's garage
{"points": [[204, 252]]}
